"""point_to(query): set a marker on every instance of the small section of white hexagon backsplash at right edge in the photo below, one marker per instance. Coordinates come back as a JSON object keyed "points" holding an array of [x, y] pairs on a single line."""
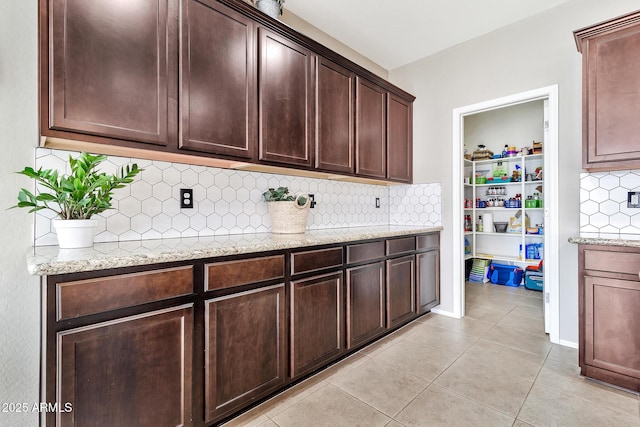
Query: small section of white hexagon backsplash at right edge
{"points": [[603, 202]]}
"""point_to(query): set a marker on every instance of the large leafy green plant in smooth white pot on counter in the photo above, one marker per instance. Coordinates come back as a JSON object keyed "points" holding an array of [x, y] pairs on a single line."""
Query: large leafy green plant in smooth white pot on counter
{"points": [[75, 197]]}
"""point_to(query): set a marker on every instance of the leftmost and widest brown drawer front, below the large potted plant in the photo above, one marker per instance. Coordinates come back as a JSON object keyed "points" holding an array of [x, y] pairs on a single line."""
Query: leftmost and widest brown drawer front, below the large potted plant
{"points": [[91, 296]]}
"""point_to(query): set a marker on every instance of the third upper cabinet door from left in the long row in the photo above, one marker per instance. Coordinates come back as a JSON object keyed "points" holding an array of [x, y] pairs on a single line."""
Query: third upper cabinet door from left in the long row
{"points": [[286, 104]]}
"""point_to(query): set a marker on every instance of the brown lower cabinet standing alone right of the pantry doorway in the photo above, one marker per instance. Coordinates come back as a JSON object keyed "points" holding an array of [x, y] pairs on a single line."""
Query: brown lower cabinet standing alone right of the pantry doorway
{"points": [[609, 311]]}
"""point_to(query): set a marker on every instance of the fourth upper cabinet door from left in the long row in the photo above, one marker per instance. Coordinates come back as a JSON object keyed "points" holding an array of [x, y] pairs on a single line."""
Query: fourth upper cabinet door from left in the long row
{"points": [[335, 139]]}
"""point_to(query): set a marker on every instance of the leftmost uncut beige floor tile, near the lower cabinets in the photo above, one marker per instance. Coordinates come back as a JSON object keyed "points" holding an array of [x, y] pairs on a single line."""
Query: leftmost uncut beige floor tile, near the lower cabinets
{"points": [[379, 385]]}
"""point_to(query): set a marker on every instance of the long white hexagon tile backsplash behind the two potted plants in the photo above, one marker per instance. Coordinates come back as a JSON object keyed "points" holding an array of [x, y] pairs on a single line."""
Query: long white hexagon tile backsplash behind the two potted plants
{"points": [[230, 202]]}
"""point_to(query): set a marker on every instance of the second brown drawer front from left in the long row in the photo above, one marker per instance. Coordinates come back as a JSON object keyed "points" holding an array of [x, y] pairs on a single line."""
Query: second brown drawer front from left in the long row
{"points": [[228, 274]]}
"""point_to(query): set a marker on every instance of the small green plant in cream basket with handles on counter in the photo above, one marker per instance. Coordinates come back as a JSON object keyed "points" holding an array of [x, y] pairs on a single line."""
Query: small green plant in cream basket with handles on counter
{"points": [[288, 213]]}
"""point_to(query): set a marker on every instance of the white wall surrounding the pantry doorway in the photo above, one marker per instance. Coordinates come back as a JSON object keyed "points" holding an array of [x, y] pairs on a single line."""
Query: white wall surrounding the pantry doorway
{"points": [[534, 53]]}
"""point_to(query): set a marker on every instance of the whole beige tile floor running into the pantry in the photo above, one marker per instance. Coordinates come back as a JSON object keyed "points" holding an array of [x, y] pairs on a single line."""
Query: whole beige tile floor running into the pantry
{"points": [[495, 367]]}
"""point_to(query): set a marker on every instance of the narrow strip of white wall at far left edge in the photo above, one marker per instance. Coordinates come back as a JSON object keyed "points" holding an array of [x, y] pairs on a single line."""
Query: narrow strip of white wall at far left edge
{"points": [[19, 292]]}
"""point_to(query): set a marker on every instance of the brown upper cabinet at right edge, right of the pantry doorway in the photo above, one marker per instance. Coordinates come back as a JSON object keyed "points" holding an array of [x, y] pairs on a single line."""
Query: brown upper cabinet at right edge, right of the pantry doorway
{"points": [[610, 91]]}
